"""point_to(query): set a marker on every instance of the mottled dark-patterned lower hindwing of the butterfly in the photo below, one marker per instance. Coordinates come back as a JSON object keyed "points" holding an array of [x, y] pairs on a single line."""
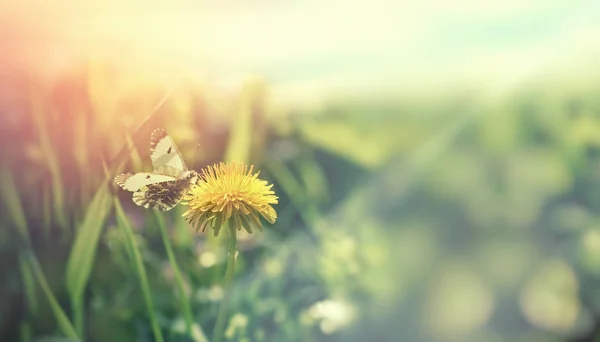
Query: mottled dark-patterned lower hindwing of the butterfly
{"points": [[162, 196]]}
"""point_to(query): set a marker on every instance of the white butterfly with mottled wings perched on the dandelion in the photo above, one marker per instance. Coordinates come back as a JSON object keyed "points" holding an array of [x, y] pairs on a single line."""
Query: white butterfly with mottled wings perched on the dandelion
{"points": [[164, 187]]}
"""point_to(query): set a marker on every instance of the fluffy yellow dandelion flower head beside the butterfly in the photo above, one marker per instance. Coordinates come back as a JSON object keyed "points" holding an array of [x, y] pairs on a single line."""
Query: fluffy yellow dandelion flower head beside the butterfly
{"points": [[229, 192]]}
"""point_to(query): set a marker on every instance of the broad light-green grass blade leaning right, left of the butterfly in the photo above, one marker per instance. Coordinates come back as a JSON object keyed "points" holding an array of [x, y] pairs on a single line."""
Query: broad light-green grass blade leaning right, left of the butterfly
{"points": [[83, 252]]}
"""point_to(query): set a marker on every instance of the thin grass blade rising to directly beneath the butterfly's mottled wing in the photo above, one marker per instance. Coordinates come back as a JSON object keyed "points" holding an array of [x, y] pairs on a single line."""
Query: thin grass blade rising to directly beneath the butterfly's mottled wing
{"points": [[184, 301]]}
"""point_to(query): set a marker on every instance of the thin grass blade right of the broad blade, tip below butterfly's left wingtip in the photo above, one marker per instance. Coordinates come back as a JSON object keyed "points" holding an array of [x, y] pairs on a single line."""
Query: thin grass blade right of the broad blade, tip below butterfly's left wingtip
{"points": [[124, 225]]}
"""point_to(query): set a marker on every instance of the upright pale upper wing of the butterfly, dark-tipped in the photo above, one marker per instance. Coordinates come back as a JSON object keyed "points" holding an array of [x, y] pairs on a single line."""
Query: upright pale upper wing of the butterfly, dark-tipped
{"points": [[166, 158]]}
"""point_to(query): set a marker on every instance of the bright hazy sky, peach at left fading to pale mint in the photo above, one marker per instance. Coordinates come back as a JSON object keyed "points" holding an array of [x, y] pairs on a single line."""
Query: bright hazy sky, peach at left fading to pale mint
{"points": [[309, 48]]}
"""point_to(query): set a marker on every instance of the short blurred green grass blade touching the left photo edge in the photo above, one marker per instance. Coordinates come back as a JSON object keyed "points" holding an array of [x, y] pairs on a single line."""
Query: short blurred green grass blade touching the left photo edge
{"points": [[12, 201]]}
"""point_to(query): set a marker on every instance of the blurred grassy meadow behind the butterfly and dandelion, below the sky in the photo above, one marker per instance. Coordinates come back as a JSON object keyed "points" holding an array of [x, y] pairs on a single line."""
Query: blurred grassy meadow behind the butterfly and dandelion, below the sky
{"points": [[462, 215]]}
